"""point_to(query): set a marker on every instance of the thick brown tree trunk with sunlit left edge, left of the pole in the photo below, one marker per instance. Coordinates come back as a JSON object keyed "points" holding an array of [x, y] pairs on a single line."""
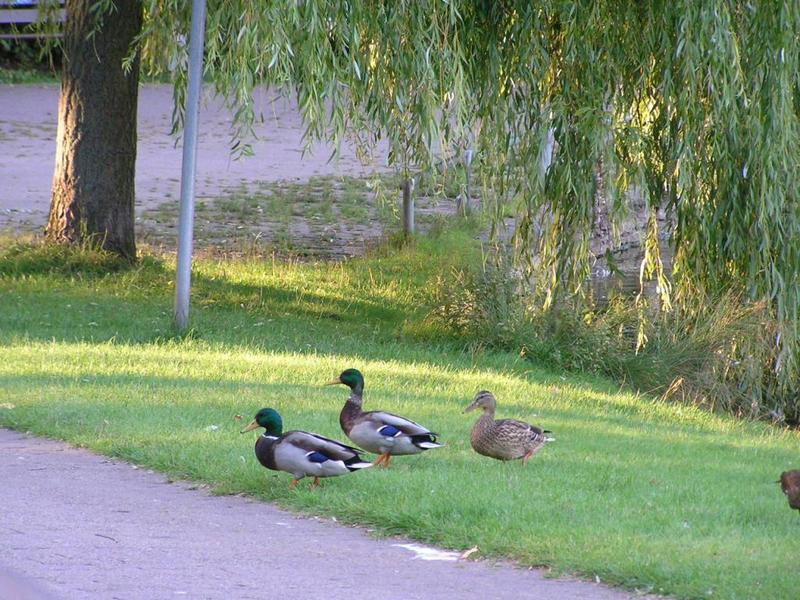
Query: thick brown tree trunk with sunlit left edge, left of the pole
{"points": [[93, 184]]}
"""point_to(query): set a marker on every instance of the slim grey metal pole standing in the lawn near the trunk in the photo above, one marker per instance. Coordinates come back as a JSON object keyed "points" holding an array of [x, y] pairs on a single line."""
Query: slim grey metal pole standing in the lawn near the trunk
{"points": [[186, 220]]}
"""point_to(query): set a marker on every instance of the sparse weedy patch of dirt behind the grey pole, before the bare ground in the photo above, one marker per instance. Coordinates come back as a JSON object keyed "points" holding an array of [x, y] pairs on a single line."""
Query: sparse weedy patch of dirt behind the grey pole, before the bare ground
{"points": [[326, 216]]}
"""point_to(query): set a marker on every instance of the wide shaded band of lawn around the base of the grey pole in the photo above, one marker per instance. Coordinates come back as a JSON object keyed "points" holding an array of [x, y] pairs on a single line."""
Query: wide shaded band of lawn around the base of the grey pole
{"points": [[54, 293]]}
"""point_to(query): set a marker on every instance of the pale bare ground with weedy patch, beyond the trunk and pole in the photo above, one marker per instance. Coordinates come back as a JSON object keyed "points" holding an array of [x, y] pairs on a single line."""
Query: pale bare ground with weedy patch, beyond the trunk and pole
{"points": [[285, 197]]}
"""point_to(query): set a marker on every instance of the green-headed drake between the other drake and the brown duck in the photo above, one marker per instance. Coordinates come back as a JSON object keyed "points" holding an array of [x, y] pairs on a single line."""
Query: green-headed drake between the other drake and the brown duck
{"points": [[377, 431]]}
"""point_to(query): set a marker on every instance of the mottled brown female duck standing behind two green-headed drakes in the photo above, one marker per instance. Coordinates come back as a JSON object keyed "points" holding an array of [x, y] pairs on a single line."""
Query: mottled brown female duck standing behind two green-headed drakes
{"points": [[503, 439]]}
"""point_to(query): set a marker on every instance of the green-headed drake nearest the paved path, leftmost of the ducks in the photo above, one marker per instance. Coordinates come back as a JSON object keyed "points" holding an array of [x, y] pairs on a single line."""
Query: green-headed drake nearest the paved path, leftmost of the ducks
{"points": [[301, 453]]}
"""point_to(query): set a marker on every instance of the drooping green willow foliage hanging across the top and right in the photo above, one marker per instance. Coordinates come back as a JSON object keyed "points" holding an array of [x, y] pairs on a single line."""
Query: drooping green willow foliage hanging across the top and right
{"points": [[694, 104]]}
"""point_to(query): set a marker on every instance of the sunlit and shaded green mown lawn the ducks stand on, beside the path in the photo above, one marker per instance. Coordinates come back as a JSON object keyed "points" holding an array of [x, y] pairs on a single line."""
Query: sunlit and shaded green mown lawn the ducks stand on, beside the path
{"points": [[643, 494]]}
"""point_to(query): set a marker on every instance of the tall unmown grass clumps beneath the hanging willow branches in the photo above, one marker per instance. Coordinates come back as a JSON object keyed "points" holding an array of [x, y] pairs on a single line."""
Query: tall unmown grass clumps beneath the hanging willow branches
{"points": [[721, 355]]}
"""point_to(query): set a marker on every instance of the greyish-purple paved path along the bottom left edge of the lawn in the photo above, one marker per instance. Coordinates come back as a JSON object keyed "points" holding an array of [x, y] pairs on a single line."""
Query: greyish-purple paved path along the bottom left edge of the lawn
{"points": [[77, 525]]}
